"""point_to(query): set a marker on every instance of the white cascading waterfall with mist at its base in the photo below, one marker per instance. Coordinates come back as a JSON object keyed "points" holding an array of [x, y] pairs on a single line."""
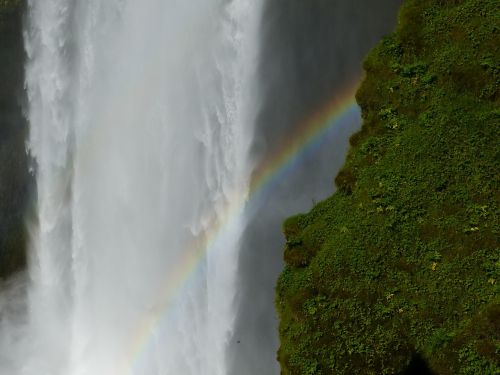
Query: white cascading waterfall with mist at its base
{"points": [[141, 119]]}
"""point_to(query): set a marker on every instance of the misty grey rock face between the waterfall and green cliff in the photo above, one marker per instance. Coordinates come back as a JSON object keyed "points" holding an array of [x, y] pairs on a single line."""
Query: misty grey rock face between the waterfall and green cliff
{"points": [[310, 50]]}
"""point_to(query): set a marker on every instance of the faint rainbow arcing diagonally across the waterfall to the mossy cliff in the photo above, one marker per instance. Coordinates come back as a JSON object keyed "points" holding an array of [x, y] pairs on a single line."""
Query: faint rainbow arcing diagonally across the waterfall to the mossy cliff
{"points": [[308, 135]]}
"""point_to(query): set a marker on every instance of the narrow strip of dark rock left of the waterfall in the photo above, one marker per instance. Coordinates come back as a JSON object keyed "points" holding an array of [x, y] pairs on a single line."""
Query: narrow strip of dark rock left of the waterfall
{"points": [[14, 176]]}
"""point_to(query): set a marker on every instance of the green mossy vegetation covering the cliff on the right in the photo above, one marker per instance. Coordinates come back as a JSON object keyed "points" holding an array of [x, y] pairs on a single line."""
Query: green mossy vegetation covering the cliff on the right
{"points": [[403, 261]]}
